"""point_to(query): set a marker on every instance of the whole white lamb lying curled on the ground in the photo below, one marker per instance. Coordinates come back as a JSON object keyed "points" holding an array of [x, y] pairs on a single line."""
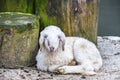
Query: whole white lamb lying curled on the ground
{"points": [[64, 55]]}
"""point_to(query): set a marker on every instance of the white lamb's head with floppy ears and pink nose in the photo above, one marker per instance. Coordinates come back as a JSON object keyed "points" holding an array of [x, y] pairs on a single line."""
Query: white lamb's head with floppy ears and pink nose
{"points": [[52, 39]]}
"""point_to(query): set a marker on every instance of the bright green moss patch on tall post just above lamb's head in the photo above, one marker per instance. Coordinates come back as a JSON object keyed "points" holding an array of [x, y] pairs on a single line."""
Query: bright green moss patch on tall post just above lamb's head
{"points": [[41, 11]]}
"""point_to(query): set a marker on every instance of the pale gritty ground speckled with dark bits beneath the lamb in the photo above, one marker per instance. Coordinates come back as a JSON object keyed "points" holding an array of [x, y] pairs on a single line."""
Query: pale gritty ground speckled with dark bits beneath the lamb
{"points": [[110, 51]]}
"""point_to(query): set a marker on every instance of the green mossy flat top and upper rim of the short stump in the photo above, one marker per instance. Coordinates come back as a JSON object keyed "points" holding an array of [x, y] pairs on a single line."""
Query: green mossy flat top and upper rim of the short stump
{"points": [[16, 19]]}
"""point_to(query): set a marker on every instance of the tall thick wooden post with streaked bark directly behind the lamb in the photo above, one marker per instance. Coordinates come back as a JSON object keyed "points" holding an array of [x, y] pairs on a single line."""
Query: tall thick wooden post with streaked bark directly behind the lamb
{"points": [[75, 17]]}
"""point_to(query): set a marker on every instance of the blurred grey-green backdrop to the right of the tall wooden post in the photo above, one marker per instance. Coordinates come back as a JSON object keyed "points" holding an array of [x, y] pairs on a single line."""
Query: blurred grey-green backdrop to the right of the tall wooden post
{"points": [[109, 18]]}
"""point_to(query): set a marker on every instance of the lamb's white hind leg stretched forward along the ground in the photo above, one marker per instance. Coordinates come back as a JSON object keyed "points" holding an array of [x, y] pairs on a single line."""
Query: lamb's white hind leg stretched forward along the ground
{"points": [[75, 69]]}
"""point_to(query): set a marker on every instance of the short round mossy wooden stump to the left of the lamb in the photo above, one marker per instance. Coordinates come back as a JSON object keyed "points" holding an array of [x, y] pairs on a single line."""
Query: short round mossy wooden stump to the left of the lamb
{"points": [[18, 39]]}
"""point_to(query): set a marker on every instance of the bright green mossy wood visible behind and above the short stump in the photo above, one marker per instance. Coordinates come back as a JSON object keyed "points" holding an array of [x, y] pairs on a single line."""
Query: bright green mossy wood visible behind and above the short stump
{"points": [[26, 6]]}
